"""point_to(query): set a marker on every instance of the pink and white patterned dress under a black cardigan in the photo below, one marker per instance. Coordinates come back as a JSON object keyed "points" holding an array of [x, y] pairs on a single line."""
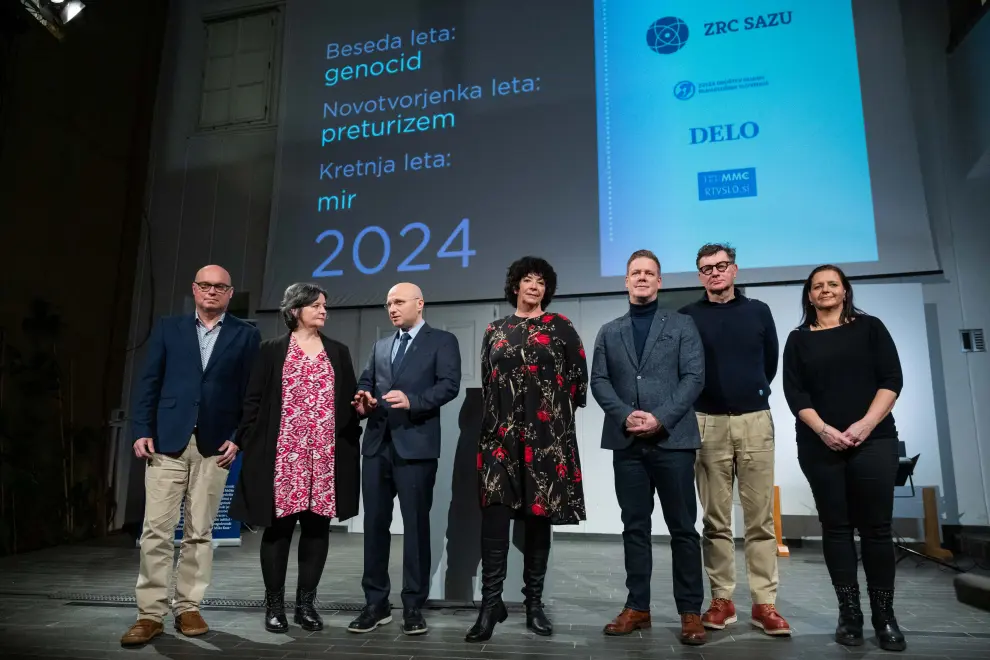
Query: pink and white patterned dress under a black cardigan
{"points": [[304, 455]]}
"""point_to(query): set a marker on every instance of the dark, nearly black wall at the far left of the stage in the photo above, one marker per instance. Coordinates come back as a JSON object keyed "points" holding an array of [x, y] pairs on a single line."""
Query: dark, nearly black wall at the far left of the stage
{"points": [[75, 119]]}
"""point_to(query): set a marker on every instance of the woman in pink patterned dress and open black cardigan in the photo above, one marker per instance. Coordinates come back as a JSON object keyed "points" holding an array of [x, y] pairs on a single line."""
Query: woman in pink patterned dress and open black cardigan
{"points": [[301, 460]]}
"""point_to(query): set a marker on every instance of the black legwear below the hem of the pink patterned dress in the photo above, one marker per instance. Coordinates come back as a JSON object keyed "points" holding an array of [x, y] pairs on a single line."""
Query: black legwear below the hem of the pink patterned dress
{"points": [[314, 543]]}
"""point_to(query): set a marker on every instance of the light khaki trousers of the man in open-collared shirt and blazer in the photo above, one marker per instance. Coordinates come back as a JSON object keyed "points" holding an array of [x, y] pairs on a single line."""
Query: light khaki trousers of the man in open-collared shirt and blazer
{"points": [[167, 482]]}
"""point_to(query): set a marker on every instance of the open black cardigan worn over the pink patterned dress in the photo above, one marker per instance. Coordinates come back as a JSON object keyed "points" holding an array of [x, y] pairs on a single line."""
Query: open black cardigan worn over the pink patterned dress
{"points": [[257, 435]]}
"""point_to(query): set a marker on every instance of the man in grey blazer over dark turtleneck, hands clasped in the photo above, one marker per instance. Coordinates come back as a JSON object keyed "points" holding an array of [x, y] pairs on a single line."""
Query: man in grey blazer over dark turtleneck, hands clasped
{"points": [[648, 368]]}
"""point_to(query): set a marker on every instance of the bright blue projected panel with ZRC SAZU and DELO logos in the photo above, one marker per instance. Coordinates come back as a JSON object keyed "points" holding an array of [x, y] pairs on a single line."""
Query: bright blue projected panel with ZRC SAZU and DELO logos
{"points": [[731, 119]]}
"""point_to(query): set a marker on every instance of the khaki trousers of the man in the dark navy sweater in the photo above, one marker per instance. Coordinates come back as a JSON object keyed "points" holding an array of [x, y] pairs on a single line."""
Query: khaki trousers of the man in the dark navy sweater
{"points": [[738, 447]]}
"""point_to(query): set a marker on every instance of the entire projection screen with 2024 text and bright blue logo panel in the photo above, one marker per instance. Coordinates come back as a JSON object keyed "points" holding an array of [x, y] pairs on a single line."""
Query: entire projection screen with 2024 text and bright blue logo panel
{"points": [[437, 141]]}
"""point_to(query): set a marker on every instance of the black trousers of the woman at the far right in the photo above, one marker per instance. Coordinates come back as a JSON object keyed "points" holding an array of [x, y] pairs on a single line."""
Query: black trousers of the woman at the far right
{"points": [[854, 488]]}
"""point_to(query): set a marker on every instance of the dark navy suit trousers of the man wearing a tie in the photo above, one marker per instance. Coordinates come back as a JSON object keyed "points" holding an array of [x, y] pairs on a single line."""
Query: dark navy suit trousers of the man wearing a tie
{"points": [[386, 475]]}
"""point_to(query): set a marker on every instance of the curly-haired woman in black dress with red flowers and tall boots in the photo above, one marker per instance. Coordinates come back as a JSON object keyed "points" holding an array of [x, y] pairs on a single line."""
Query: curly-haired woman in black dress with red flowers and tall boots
{"points": [[534, 378]]}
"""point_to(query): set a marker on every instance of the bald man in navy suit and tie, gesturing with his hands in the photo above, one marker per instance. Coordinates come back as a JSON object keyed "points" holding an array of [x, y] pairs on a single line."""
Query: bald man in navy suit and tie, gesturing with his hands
{"points": [[410, 375]]}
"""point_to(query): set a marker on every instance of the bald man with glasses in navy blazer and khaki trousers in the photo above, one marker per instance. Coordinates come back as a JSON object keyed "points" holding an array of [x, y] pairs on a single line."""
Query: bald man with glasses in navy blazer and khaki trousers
{"points": [[186, 410]]}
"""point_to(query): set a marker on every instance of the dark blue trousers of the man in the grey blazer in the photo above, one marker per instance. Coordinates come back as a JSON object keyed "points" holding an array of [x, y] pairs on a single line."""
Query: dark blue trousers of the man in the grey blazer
{"points": [[641, 470]]}
